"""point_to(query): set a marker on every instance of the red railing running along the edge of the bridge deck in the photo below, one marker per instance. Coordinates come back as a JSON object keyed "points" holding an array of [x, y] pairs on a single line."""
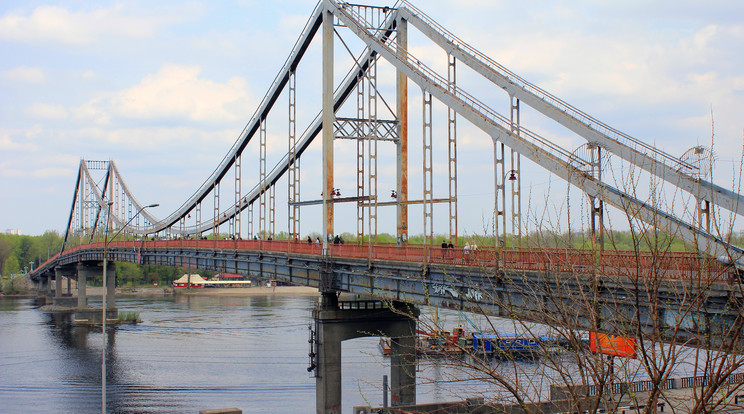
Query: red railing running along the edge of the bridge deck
{"points": [[670, 265]]}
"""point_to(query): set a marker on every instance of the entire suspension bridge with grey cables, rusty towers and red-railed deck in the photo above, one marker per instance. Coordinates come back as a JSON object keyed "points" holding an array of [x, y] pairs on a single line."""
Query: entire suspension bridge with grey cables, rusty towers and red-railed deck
{"points": [[232, 227]]}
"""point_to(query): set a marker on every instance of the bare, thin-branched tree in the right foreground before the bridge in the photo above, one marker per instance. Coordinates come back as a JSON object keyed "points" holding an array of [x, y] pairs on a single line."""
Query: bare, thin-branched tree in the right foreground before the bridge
{"points": [[682, 310]]}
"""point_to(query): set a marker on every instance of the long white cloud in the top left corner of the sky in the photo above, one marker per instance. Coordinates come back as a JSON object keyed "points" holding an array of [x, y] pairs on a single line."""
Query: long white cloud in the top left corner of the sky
{"points": [[59, 25]]}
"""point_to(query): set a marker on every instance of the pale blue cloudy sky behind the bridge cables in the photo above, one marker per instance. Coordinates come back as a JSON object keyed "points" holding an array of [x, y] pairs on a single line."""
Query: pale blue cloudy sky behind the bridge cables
{"points": [[165, 88]]}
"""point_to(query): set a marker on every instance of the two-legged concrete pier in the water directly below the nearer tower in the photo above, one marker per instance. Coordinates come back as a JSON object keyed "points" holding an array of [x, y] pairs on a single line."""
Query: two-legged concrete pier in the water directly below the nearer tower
{"points": [[337, 321]]}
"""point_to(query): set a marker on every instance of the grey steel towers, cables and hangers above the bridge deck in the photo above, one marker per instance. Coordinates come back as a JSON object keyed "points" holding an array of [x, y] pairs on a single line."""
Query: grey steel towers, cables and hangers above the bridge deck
{"points": [[384, 32]]}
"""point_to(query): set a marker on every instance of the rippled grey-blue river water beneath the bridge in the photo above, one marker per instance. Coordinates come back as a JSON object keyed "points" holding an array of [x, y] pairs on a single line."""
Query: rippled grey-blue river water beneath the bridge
{"points": [[189, 353]]}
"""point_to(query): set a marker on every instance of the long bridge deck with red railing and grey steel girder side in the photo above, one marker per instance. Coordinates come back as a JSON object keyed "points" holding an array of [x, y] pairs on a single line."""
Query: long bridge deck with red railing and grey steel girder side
{"points": [[631, 288]]}
